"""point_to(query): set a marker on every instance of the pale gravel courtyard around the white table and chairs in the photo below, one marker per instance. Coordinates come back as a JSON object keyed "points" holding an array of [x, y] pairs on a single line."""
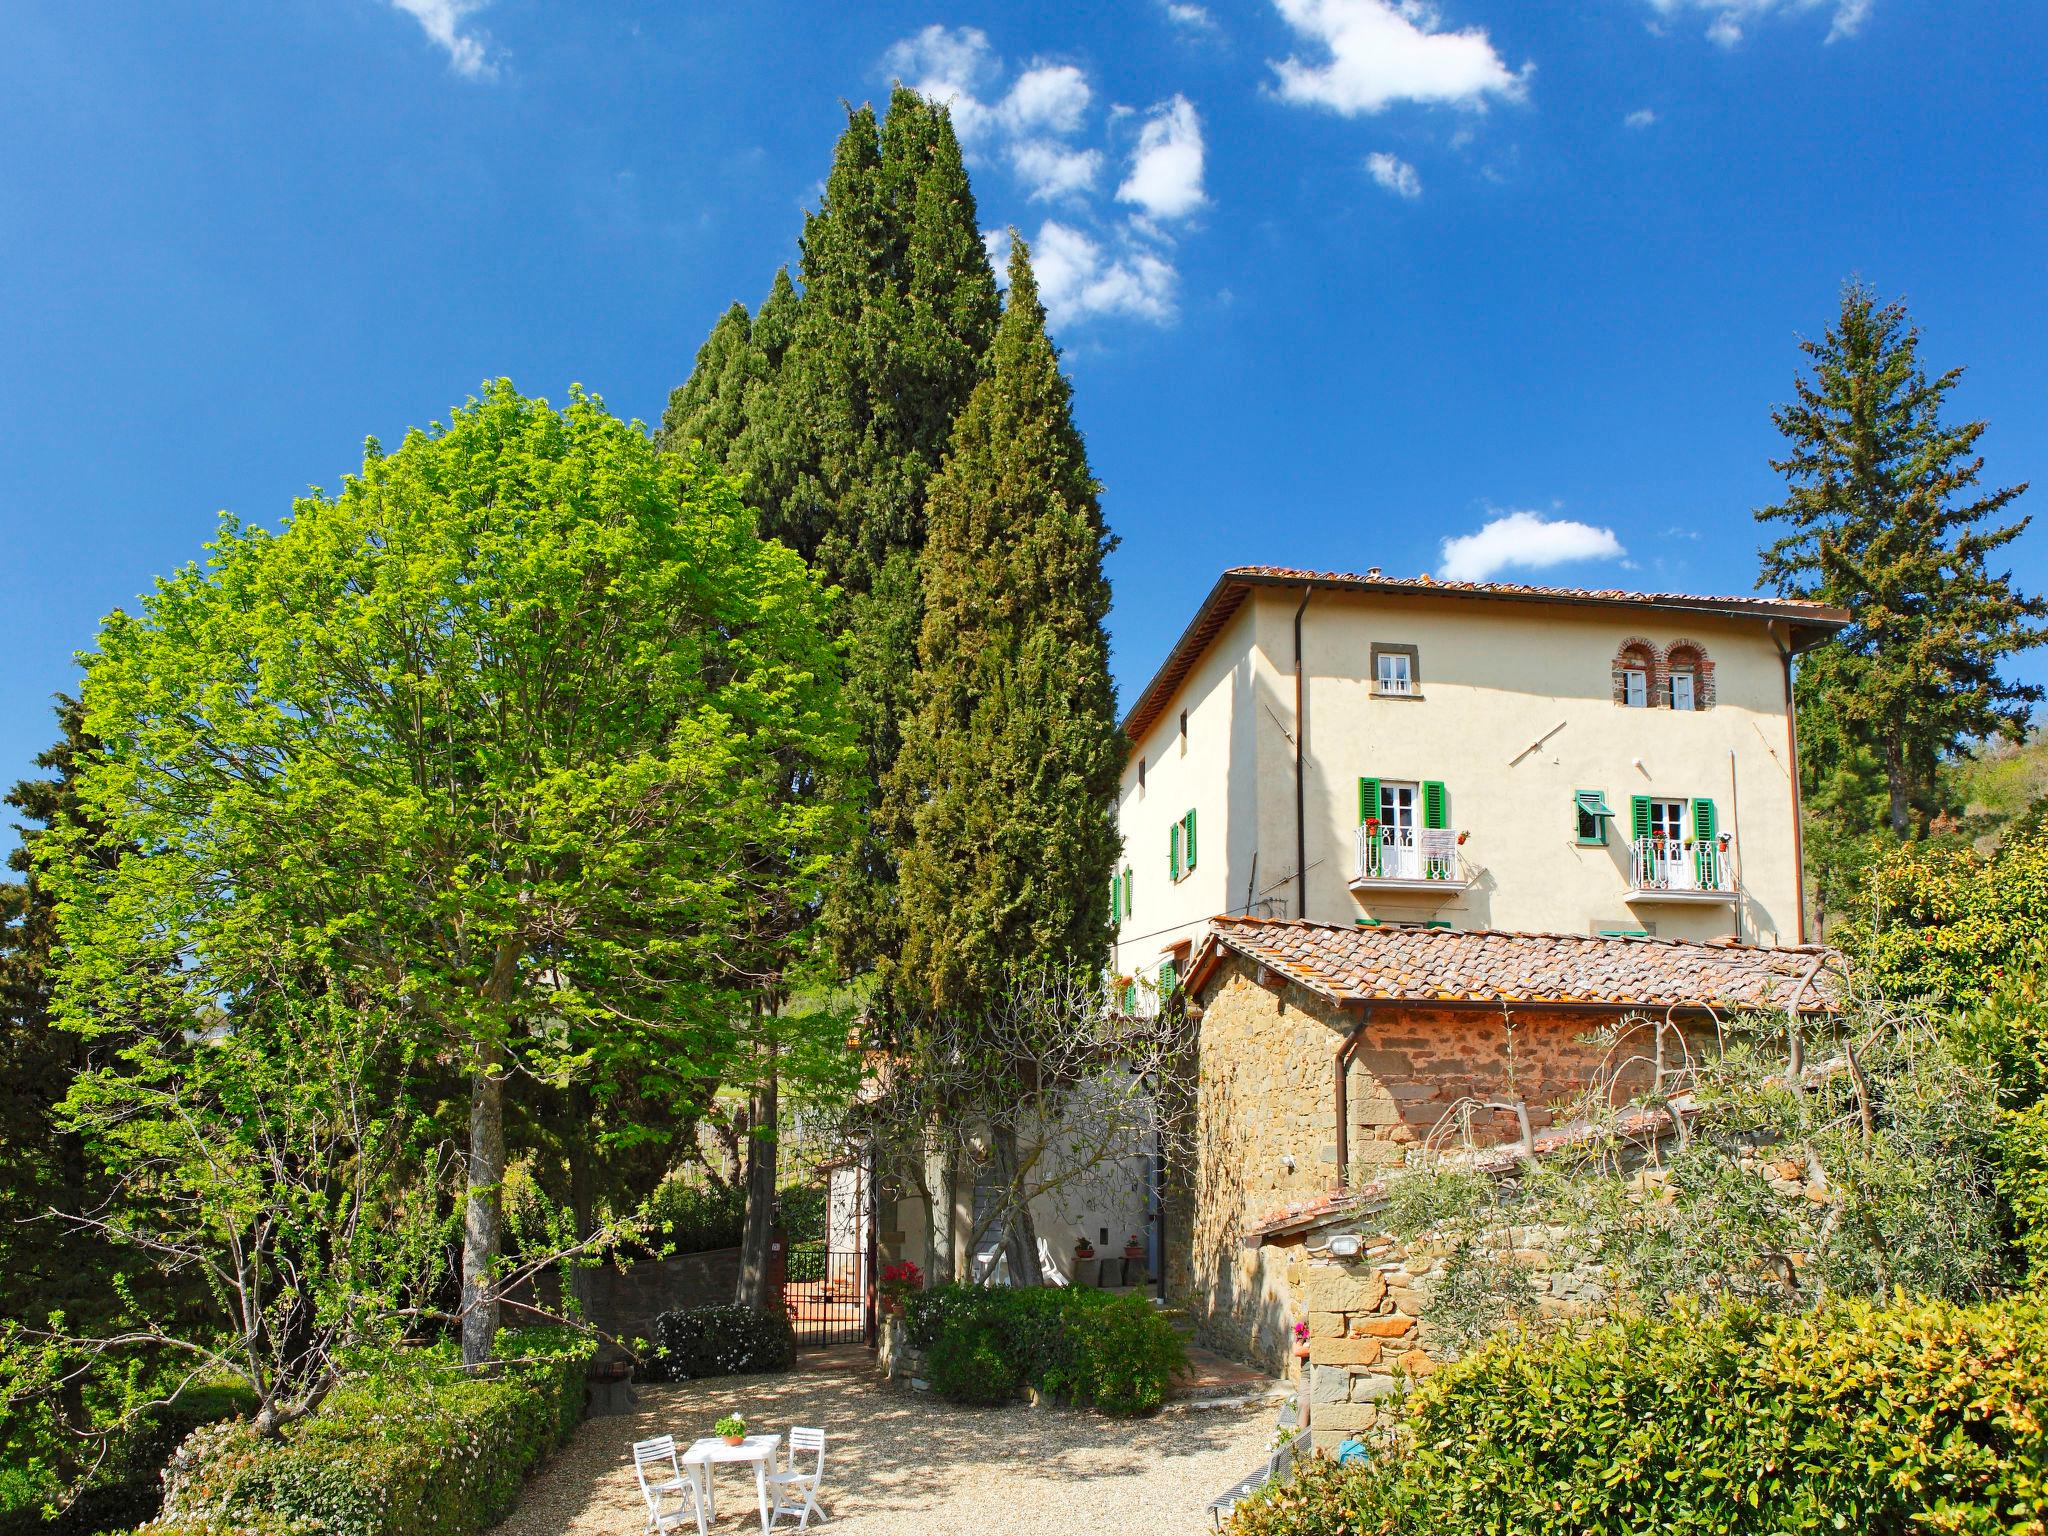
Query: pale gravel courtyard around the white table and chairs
{"points": [[902, 1463]]}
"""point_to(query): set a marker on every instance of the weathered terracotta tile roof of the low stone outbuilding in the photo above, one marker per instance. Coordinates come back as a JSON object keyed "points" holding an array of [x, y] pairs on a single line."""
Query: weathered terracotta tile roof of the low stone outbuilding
{"points": [[1441, 966]]}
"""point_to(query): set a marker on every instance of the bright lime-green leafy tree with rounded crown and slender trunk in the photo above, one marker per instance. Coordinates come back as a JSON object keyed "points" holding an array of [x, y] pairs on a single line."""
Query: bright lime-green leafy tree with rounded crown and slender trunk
{"points": [[493, 742]]}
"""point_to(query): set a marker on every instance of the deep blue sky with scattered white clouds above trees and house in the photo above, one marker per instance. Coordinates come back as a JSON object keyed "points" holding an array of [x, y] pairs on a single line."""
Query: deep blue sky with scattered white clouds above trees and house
{"points": [[1338, 280]]}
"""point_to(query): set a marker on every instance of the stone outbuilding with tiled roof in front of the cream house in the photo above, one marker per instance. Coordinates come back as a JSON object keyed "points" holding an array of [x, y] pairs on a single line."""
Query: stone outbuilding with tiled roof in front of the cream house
{"points": [[1330, 1056]]}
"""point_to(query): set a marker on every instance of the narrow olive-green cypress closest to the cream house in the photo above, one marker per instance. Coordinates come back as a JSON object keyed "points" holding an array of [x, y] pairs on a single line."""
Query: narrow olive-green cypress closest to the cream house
{"points": [[1005, 792]]}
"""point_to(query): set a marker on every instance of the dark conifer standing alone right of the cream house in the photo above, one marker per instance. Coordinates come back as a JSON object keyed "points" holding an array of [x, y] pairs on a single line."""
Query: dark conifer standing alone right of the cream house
{"points": [[1889, 523]]}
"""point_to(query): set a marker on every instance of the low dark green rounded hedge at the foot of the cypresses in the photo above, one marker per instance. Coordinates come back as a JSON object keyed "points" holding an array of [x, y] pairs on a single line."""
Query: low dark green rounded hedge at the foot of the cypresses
{"points": [[1091, 1349]]}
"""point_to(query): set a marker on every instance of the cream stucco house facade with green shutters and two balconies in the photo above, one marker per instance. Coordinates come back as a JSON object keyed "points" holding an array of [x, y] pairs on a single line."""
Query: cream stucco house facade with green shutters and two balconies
{"points": [[1519, 706]]}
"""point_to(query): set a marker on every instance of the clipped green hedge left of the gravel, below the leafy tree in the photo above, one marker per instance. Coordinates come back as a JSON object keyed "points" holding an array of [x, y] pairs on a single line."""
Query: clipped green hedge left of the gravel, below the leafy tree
{"points": [[407, 1449]]}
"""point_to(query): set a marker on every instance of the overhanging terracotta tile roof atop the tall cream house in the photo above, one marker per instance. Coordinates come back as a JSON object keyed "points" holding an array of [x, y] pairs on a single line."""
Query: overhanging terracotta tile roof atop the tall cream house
{"points": [[1809, 624]]}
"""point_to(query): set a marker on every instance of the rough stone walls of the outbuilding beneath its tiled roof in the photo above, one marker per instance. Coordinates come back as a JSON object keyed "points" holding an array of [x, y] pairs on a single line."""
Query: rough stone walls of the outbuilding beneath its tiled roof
{"points": [[1267, 1125]]}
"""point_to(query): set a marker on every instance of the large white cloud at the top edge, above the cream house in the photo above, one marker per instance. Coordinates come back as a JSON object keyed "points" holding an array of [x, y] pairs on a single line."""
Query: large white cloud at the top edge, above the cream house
{"points": [[1385, 52]]}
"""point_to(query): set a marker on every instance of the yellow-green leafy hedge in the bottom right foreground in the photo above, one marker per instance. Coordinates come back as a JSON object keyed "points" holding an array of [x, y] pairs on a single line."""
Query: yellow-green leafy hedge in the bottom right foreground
{"points": [[1857, 1418]]}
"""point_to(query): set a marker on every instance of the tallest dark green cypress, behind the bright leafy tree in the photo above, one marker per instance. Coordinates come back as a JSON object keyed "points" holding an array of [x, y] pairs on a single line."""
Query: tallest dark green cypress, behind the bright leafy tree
{"points": [[851, 392]]}
